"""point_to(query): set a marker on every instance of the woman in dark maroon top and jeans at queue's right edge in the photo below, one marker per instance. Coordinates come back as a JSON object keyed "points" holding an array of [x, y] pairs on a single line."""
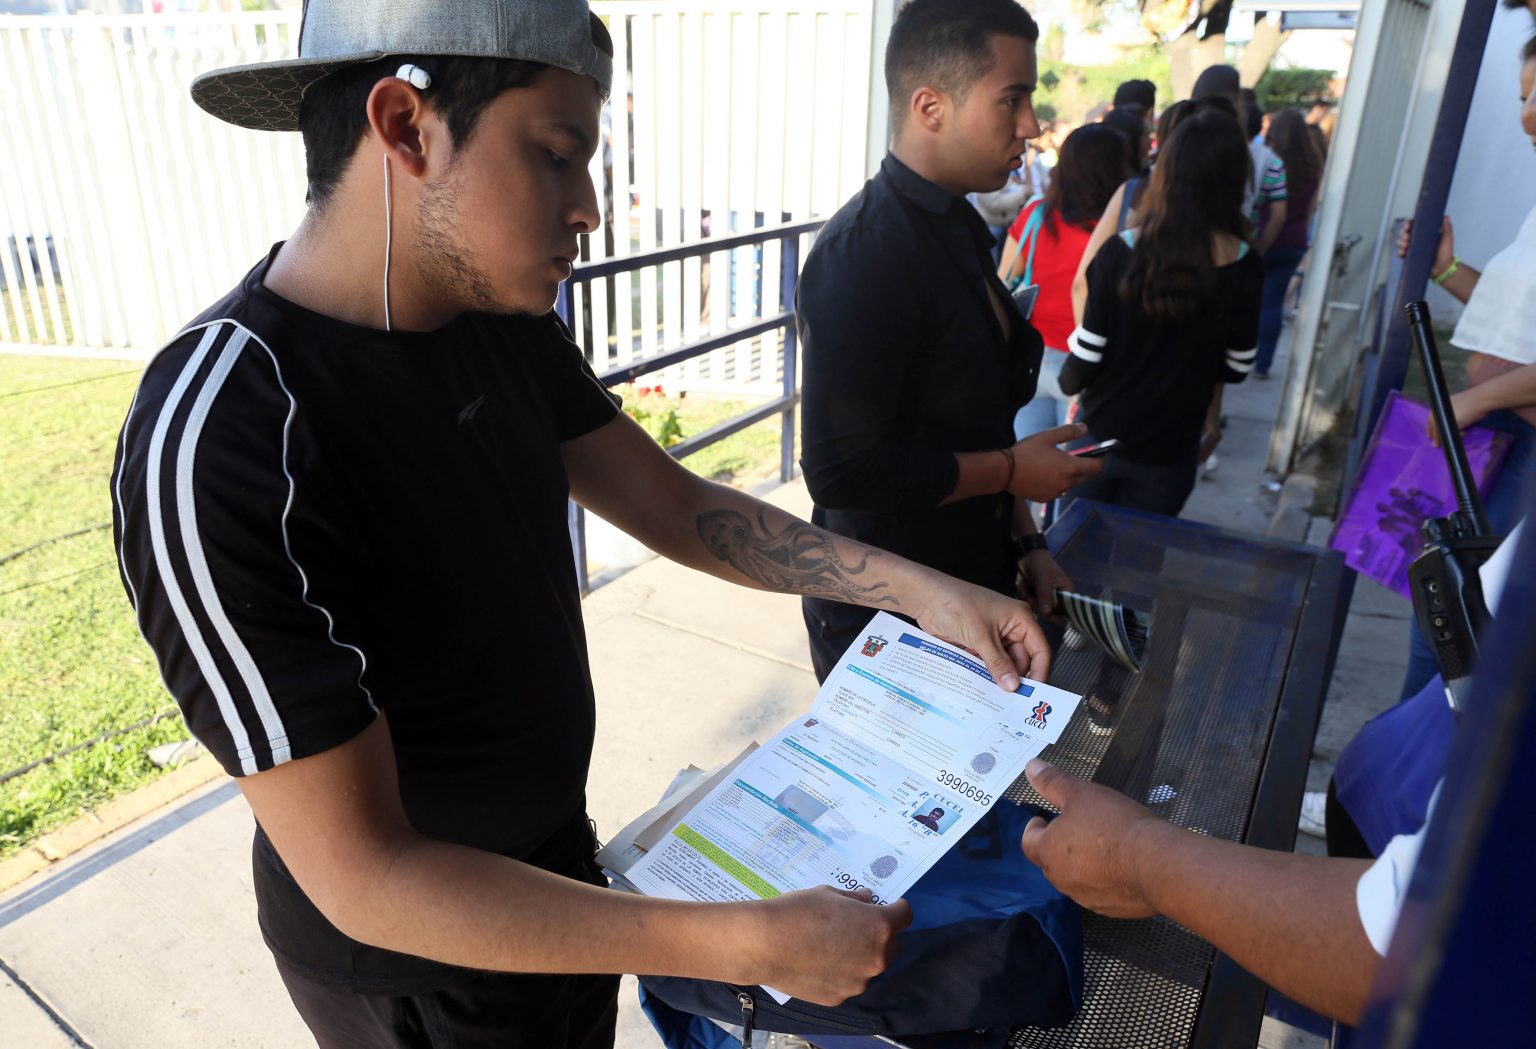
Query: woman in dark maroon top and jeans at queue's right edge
{"points": [[1291, 139]]}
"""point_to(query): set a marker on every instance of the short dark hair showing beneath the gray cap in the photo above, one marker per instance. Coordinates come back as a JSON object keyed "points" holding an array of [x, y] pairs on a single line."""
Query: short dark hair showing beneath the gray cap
{"points": [[334, 114]]}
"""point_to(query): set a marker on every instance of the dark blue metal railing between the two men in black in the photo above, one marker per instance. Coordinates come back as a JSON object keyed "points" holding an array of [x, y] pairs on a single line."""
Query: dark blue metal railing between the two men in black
{"points": [[789, 236]]}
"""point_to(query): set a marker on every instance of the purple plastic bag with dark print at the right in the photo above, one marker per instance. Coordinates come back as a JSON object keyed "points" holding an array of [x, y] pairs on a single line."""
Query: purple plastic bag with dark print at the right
{"points": [[1403, 481]]}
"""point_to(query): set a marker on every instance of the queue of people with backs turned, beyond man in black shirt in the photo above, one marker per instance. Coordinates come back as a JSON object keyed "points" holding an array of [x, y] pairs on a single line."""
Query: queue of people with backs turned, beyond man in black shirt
{"points": [[1211, 240]]}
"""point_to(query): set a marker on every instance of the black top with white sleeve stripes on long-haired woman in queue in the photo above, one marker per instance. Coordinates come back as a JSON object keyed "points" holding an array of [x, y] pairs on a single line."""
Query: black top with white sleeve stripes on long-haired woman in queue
{"points": [[1150, 383]]}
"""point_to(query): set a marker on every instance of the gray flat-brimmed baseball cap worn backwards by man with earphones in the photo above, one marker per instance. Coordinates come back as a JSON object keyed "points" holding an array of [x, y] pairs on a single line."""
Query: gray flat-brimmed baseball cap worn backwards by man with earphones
{"points": [[346, 33]]}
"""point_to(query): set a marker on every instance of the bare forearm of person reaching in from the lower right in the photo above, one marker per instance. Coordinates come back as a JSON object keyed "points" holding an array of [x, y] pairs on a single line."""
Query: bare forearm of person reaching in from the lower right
{"points": [[1288, 919]]}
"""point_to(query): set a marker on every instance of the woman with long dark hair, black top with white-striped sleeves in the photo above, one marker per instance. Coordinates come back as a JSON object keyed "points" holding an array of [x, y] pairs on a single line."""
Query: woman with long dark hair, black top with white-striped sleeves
{"points": [[1171, 314]]}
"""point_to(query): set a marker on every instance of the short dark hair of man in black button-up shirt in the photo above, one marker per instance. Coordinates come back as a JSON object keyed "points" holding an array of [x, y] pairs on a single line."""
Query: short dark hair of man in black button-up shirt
{"points": [[947, 45]]}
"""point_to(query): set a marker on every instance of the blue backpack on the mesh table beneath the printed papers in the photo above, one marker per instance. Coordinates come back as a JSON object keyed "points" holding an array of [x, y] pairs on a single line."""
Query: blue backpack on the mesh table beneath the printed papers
{"points": [[993, 947]]}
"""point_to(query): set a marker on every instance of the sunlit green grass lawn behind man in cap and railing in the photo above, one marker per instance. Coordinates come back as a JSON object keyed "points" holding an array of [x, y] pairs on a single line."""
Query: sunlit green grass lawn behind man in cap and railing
{"points": [[71, 661]]}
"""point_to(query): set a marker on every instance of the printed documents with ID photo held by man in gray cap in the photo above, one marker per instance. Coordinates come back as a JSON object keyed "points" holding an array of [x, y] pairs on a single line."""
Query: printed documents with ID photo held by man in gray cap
{"points": [[909, 744]]}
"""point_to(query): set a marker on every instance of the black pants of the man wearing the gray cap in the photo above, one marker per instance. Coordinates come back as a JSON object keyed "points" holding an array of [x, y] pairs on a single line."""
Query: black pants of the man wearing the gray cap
{"points": [[497, 1011]]}
